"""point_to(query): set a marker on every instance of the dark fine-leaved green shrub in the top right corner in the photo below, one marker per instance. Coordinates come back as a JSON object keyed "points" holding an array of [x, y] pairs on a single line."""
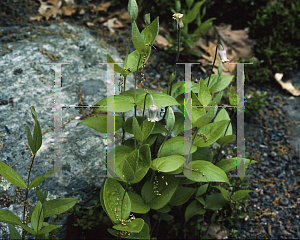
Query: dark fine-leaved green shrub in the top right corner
{"points": [[273, 24]]}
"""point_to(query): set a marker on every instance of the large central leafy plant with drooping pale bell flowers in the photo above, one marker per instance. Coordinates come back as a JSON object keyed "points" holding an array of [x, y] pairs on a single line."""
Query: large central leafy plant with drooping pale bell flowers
{"points": [[149, 161]]}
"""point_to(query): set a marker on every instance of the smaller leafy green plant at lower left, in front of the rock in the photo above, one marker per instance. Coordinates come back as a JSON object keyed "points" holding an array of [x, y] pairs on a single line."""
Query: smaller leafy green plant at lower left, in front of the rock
{"points": [[43, 208]]}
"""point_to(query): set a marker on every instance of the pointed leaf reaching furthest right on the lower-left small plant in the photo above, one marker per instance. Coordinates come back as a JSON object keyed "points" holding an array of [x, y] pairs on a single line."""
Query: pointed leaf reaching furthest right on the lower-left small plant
{"points": [[58, 206]]}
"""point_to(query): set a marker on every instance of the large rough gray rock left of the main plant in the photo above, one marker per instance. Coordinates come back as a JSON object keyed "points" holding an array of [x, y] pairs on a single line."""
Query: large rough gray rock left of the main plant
{"points": [[83, 148]]}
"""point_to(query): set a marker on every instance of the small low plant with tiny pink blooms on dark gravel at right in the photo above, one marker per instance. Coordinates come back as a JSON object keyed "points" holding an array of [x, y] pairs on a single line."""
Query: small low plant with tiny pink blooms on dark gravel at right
{"points": [[254, 102]]}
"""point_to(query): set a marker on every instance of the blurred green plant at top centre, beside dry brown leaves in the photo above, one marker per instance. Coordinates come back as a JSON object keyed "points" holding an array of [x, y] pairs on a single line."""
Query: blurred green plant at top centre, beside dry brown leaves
{"points": [[191, 16]]}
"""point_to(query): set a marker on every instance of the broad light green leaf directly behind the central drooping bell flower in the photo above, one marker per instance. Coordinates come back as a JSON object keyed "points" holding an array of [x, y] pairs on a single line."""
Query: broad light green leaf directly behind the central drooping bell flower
{"points": [[161, 100]]}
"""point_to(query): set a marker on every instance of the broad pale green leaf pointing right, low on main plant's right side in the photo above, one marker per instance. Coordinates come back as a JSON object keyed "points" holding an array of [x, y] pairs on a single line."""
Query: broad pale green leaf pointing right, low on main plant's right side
{"points": [[211, 172]]}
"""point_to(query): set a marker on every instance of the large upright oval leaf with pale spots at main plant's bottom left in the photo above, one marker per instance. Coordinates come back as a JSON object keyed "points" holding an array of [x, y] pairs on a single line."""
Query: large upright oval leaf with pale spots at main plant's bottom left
{"points": [[112, 192]]}
